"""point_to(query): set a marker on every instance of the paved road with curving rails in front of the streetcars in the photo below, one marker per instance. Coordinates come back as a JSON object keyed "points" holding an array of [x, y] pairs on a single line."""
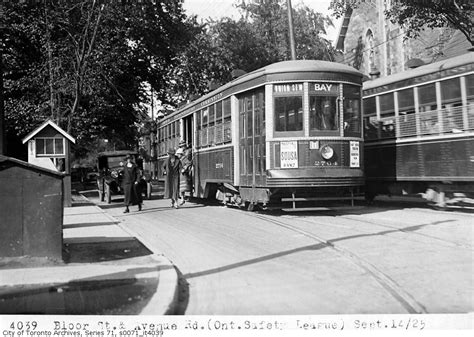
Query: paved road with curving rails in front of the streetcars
{"points": [[367, 261]]}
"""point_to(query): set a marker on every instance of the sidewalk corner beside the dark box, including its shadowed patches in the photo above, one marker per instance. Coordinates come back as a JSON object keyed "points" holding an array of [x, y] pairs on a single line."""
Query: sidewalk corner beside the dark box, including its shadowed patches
{"points": [[105, 270]]}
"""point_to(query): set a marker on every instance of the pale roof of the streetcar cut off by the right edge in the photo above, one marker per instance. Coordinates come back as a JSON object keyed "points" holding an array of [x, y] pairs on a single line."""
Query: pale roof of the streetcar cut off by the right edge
{"points": [[427, 69]]}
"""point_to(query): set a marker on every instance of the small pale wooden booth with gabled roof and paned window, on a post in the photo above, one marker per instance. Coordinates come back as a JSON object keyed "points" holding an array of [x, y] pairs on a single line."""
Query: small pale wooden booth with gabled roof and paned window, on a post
{"points": [[49, 147]]}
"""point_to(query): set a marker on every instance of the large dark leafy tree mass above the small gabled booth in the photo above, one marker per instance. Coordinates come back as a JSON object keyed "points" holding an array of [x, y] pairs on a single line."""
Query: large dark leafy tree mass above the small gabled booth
{"points": [[84, 64]]}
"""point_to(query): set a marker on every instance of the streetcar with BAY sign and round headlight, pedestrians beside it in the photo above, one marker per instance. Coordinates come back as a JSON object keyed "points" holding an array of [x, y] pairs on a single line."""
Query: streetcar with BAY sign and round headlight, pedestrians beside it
{"points": [[288, 132]]}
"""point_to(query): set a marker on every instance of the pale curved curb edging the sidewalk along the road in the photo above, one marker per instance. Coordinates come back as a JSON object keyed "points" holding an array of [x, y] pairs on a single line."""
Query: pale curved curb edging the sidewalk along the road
{"points": [[164, 301]]}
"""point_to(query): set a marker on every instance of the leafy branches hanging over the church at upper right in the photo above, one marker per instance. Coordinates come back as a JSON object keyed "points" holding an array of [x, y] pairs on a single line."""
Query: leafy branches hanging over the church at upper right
{"points": [[414, 15]]}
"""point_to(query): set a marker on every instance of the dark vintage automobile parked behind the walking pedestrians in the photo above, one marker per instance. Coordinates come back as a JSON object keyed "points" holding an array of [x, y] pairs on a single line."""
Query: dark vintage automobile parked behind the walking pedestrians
{"points": [[110, 167]]}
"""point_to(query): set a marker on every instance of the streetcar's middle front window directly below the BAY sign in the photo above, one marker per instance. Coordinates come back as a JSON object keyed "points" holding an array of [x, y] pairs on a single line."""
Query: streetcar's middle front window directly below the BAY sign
{"points": [[323, 113]]}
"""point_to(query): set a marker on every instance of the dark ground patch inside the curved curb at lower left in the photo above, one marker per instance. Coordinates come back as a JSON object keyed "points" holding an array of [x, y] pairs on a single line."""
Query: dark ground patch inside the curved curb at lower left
{"points": [[120, 295]]}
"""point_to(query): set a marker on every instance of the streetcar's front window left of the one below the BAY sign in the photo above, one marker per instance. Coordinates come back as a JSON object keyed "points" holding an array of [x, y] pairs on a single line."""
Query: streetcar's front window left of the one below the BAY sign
{"points": [[289, 113]]}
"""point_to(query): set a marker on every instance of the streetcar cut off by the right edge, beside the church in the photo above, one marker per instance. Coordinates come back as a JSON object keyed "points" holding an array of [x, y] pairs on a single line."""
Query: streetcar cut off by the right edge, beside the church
{"points": [[419, 133]]}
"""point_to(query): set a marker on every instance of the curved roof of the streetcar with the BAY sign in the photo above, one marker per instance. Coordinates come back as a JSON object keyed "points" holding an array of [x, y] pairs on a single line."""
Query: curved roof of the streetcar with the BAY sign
{"points": [[293, 67]]}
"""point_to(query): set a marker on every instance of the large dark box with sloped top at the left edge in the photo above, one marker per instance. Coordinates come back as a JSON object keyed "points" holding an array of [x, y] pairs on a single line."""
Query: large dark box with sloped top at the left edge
{"points": [[31, 210]]}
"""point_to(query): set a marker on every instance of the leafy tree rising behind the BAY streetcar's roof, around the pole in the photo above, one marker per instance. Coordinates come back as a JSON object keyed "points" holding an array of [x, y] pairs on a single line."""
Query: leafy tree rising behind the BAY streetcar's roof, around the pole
{"points": [[260, 37]]}
